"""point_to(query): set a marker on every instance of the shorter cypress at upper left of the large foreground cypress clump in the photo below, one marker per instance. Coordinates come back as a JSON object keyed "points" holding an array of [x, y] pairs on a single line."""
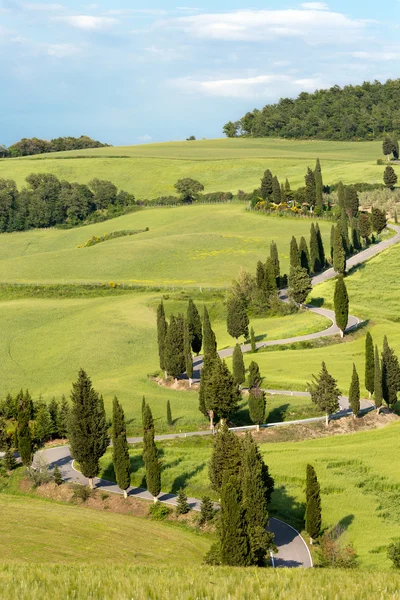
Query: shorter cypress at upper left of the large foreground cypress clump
{"points": [[225, 458]]}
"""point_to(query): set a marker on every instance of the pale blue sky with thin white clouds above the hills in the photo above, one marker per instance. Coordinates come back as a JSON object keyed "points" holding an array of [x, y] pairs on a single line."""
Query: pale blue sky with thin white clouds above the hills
{"points": [[131, 72]]}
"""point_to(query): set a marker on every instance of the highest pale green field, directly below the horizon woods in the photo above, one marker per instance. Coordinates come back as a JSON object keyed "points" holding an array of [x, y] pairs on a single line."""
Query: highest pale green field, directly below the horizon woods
{"points": [[151, 170]]}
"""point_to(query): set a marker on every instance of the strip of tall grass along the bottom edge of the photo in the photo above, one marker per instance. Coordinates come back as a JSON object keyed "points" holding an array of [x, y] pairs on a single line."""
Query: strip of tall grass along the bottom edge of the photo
{"points": [[35, 582]]}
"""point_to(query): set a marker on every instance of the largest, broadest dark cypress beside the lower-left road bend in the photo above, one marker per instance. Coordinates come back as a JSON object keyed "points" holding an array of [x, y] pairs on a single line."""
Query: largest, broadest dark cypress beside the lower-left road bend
{"points": [[87, 430]]}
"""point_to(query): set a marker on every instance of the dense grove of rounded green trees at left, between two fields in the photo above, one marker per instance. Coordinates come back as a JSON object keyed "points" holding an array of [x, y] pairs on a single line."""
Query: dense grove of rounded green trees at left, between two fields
{"points": [[46, 202]]}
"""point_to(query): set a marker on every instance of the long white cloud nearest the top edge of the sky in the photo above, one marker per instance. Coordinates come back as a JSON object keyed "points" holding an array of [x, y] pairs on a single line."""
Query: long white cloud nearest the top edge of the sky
{"points": [[258, 25]]}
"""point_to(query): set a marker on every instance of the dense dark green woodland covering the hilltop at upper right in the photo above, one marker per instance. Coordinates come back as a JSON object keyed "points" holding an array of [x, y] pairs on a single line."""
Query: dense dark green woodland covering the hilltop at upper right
{"points": [[364, 112]]}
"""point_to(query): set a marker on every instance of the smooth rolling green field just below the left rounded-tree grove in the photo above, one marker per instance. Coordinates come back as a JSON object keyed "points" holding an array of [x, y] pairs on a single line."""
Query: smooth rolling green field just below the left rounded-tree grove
{"points": [[186, 246]]}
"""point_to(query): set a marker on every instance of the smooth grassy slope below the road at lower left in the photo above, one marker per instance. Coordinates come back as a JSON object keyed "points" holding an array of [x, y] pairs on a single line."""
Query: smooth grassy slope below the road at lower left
{"points": [[38, 531]]}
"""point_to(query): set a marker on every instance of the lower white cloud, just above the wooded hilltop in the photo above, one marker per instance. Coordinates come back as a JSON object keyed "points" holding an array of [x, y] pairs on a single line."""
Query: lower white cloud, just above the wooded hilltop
{"points": [[264, 86]]}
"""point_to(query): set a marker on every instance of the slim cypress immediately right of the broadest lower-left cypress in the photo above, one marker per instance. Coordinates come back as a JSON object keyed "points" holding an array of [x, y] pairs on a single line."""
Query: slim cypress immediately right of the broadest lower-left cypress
{"points": [[120, 449]]}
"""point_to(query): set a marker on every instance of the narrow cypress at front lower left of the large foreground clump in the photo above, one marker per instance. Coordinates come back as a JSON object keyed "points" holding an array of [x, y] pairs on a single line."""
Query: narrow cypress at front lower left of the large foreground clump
{"points": [[234, 540]]}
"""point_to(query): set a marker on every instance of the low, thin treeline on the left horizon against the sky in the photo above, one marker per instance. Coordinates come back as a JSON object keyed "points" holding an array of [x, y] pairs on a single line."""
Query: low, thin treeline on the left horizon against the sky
{"points": [[30, 146]]}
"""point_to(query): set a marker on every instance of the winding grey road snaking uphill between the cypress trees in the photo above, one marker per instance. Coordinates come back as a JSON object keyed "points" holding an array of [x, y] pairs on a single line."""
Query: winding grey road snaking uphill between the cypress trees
{"points": [[292, 549]]}
